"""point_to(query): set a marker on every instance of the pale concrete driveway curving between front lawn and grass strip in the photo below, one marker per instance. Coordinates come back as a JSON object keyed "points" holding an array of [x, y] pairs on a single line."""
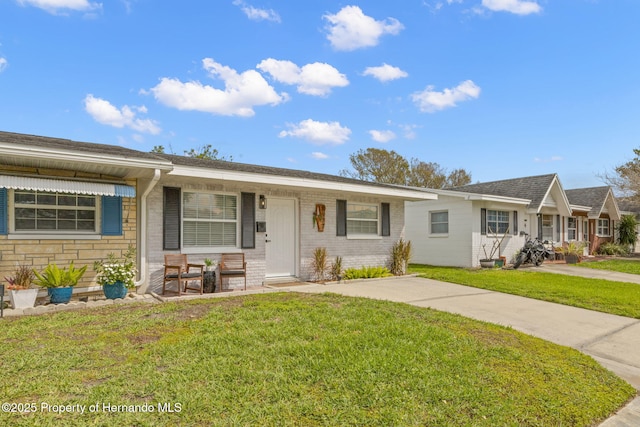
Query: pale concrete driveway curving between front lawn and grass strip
{"points": [[614, 341]]}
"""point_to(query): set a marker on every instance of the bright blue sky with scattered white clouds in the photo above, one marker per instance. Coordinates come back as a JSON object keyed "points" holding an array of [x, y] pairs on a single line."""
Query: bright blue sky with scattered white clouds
{"points": [[501, 88]]}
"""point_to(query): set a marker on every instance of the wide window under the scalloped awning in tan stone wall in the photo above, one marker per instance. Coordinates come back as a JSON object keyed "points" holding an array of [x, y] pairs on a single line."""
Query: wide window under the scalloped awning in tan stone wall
{"points": [[52, 212]]}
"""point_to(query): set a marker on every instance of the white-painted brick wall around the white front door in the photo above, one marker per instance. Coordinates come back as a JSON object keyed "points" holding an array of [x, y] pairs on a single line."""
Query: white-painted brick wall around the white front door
{"points": [[355, 253]]}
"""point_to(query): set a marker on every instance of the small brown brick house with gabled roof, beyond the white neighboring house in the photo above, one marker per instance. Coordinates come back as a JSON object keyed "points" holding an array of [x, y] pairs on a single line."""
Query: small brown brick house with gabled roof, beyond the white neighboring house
{"points": [[594, 215]]}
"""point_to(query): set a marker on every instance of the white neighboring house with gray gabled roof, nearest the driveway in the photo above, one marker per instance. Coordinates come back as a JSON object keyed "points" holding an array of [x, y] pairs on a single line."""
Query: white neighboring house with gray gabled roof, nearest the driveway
{"points": [[465, 222]]}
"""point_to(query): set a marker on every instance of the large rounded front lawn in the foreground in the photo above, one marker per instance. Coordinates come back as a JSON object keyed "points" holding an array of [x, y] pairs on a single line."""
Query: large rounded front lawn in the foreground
{"points": [[293, 359]]}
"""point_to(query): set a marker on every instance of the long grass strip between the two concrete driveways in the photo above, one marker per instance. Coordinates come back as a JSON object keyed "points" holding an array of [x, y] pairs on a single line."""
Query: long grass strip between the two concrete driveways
{"points": [[593, 294]]}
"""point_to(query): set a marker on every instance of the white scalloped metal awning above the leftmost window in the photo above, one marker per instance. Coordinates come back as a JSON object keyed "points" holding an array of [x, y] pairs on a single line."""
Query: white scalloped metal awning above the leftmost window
{"points": [[66, 186]]}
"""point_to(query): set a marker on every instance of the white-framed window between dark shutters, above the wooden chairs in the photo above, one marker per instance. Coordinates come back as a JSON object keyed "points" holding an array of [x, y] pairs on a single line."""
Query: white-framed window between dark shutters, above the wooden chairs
{"points": [[209, 220]]}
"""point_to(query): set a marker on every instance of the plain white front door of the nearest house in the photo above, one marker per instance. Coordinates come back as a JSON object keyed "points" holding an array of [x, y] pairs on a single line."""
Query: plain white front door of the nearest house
{"points": [[280, 246]]}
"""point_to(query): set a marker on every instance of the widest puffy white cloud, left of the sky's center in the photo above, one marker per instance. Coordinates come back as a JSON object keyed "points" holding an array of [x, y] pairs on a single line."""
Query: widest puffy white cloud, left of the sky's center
{"points": [[242, 92]]}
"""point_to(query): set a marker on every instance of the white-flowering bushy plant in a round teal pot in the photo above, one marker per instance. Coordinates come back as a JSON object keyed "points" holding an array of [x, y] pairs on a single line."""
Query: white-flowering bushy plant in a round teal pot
{"points": [[117, 276]]}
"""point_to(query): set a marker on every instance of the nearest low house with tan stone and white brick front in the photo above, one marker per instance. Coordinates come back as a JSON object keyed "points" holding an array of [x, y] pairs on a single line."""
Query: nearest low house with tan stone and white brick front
{"points": [[63, 201]]}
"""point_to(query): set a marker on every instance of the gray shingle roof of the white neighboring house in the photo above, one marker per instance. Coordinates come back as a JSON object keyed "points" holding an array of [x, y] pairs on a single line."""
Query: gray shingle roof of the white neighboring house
{"points": [[533, 188]]}
